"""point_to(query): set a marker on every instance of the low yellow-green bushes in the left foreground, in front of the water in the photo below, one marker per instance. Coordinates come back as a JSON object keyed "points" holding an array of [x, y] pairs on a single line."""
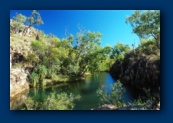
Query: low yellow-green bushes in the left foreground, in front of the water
{"points": [[61, 101]]}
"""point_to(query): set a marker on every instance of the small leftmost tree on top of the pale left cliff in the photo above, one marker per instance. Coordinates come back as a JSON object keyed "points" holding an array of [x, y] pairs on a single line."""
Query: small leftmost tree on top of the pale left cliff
{"points": [[19, 20]]}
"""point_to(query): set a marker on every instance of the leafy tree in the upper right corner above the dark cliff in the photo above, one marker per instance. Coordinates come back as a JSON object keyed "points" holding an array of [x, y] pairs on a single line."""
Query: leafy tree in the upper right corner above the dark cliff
{"points": [[146, 24]]}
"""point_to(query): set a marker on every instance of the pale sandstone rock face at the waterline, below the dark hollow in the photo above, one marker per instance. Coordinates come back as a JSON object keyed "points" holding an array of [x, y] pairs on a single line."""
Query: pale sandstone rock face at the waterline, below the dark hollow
{"points": [[18, 82]]}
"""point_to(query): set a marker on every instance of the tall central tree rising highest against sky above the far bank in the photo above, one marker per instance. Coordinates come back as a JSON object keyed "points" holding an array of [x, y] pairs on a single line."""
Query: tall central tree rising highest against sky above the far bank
{"points": [[87, 44]]}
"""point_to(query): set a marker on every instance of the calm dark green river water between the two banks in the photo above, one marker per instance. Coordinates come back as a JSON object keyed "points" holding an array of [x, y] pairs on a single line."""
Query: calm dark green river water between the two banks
{"points": [[86, 89]]}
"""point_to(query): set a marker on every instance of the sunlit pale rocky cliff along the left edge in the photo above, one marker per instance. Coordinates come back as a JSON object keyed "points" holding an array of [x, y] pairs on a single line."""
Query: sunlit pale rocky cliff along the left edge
{"points": [[19, 49]]}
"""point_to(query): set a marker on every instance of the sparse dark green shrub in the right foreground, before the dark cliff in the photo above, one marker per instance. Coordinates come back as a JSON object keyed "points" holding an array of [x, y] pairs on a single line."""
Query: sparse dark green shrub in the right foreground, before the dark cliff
{"points": [[115, 97]]}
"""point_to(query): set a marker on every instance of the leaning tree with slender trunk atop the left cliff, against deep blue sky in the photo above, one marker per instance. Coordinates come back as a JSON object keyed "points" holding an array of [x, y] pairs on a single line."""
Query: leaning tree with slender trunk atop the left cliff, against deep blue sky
{"points": [[34, 19]]}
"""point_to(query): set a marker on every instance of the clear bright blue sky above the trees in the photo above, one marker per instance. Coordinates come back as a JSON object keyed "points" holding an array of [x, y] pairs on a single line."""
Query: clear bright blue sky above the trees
{"points": [[110, 23]]}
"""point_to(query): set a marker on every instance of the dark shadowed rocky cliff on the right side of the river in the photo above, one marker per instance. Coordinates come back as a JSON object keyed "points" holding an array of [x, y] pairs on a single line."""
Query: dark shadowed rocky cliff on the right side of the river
{"points": [[140, 70]]}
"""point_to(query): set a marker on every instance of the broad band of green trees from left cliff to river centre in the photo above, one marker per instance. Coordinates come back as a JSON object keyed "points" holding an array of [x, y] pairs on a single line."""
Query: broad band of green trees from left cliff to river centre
{"points": [[61, 57]]}
